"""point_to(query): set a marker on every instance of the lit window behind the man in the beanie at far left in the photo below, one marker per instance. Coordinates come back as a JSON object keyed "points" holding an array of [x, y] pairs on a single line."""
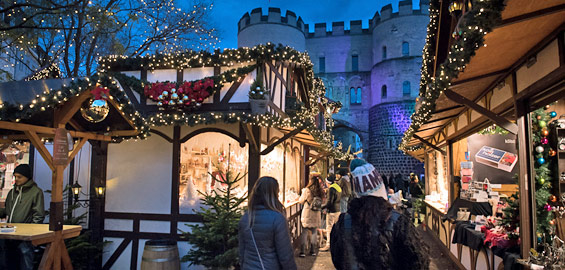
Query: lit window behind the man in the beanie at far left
{"points": [[11, 155]]}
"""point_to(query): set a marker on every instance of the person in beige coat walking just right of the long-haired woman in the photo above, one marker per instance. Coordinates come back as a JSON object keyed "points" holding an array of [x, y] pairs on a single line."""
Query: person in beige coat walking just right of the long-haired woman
{"points": [[311, 216]]}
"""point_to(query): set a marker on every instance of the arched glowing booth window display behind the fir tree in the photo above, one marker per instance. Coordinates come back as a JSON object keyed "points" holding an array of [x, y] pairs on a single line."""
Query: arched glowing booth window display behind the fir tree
{"points": [[205, 155]]}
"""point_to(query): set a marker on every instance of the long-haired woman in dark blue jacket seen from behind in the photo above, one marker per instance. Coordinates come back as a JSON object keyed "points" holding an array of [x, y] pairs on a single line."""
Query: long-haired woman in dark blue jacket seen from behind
{"points": [[264, 239]]}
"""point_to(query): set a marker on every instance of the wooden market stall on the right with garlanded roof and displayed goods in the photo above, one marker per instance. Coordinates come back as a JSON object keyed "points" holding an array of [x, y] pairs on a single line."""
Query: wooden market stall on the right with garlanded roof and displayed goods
{"points": [[488, 125]]}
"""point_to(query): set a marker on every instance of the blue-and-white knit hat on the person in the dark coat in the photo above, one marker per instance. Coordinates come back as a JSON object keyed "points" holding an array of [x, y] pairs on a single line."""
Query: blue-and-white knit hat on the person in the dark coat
{"points": [[366, 180]]}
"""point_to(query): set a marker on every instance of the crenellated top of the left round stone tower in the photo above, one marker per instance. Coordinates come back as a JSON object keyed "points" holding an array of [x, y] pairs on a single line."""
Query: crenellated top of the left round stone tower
{"points": [[273, 16]]}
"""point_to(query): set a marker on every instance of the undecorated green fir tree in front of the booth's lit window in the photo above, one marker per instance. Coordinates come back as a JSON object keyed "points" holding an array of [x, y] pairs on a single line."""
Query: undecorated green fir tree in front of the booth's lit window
{"points": [[214, 242]]}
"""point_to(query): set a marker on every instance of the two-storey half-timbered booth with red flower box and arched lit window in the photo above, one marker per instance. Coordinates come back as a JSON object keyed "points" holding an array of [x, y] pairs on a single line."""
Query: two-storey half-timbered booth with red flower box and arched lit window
{"points": [[202, 119]]}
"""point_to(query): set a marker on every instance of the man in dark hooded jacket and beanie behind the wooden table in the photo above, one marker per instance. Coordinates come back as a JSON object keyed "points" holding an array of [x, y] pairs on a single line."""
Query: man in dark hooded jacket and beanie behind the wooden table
{"points": [[24, 204]]}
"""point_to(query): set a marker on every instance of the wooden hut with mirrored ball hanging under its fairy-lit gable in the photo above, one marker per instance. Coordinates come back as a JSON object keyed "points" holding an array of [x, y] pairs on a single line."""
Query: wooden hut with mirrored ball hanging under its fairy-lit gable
{"points": [[58, 118]]}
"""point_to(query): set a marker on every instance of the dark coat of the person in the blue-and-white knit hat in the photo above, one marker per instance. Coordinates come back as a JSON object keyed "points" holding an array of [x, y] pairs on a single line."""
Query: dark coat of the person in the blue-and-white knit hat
{"points": [[373, 236]]}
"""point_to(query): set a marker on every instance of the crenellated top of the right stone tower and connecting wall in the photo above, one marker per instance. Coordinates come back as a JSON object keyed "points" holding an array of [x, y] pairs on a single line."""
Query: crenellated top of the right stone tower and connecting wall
{"points": [[355, 27]]}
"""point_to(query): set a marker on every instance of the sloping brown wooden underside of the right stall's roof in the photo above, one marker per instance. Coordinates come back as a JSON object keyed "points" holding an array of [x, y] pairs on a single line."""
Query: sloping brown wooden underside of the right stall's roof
{"points": [[524, 25]]}
